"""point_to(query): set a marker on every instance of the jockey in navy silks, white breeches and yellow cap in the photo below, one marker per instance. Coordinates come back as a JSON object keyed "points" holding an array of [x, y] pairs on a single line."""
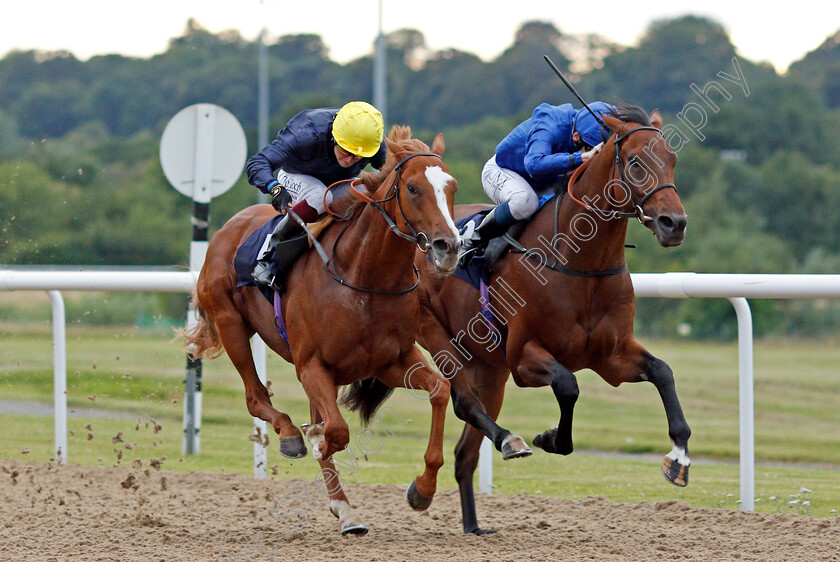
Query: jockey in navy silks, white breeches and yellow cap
{"points": [[315, 149]]}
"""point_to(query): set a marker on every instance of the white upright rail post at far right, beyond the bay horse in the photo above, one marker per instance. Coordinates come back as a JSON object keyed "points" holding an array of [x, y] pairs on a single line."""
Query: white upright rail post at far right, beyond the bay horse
{"points": [[745, 401]]}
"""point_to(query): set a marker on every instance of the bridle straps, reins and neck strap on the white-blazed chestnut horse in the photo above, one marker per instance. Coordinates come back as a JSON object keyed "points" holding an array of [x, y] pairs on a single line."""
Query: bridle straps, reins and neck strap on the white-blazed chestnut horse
{"points": [[414, 237]]}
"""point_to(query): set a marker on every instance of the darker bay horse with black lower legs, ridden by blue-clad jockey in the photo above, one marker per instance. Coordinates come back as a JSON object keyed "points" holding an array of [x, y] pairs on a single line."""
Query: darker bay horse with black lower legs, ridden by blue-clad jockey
{"points": [[562, 301]]}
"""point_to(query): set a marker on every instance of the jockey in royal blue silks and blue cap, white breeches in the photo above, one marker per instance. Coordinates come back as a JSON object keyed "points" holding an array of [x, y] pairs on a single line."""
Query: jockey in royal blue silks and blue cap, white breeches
{"points": [[536, 154]]}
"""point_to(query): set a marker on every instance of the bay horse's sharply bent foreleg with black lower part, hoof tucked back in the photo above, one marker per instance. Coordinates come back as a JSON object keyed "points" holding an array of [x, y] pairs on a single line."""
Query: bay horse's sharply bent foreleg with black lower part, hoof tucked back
{"points": [[537, 367]]}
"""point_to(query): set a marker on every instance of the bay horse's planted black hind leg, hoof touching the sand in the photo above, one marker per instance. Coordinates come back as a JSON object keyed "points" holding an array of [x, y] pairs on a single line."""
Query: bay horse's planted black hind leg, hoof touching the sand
{"points": [[491, 382]]}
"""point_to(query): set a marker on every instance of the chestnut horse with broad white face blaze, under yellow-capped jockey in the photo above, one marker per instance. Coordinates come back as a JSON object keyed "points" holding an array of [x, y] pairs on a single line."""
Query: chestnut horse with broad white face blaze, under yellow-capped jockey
{"points": [[350, 319]]}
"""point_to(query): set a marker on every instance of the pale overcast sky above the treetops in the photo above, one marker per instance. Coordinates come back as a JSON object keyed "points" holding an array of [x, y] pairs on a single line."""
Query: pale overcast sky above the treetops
{"points": [[779, 35]]}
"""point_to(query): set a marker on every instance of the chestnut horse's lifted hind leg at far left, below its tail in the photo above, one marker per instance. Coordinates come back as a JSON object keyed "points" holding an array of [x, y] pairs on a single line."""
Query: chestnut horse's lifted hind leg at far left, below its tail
{"points": [[235, 338]]}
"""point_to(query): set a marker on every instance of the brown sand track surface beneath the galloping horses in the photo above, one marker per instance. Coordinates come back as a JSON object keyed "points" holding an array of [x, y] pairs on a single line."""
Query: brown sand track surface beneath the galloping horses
{"points": [[98, 513]]}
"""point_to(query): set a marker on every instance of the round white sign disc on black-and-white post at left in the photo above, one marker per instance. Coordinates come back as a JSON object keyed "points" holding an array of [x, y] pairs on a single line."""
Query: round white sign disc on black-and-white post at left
{"points": [[202, 151]]}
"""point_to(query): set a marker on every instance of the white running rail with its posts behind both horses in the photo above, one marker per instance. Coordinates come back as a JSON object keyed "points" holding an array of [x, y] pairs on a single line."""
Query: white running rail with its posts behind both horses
{"points": [[734, 287]]}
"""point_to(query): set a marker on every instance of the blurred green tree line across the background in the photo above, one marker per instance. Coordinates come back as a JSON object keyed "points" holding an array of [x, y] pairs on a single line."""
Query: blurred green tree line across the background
{"points": [[758, 171]]}
